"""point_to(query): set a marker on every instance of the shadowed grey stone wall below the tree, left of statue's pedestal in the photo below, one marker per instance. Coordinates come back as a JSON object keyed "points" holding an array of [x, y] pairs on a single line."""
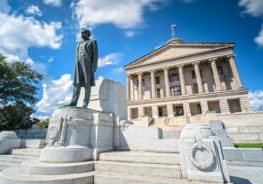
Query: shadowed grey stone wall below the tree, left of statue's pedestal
{"points": [[34, 133]]}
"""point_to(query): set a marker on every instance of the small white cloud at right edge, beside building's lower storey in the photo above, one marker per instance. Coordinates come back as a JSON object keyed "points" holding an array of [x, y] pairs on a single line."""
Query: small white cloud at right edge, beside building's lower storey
{"points": [[256, 99]]}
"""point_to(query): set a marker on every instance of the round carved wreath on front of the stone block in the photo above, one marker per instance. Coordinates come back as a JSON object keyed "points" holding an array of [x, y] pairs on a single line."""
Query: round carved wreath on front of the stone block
{"points": [[201, 156]]}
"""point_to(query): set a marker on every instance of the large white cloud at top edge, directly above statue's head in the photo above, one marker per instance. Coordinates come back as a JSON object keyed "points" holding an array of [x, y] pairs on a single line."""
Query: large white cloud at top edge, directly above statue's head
{"points": [[125, 14]]}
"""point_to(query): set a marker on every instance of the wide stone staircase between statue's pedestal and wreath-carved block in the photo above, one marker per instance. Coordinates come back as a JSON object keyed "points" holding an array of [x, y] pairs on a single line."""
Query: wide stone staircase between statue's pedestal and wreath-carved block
{"points": [[139, 167]]}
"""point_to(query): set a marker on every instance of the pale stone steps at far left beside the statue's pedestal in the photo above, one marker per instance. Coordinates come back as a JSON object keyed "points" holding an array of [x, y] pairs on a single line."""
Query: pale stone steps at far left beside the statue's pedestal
{"points": [[16, 156]]}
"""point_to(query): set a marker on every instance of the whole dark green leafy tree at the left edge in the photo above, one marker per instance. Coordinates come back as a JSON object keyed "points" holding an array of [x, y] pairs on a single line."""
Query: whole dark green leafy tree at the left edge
{"points": [[18, 88]]}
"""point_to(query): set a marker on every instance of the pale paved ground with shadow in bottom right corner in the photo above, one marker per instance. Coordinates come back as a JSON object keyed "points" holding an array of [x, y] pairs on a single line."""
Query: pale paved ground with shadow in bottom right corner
{"points": [[246, 174]]}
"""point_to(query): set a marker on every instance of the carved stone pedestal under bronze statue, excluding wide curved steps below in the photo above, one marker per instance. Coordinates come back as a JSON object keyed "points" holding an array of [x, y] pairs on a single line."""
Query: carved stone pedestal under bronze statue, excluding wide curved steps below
{"points": [[78, 131]]}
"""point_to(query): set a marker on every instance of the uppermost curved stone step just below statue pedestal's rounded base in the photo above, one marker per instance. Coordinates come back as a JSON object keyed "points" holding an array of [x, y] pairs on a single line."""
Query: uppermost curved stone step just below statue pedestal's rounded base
{"points": [[35, 167]]}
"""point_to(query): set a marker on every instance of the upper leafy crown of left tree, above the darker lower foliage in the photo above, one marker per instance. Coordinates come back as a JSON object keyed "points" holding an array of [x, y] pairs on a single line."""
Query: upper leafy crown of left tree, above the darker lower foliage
{"points": [[17, 83]]}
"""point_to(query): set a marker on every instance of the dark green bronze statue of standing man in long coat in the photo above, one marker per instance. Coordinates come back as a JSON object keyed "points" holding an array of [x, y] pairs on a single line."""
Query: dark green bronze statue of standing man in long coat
{"points": [[85, 67]]}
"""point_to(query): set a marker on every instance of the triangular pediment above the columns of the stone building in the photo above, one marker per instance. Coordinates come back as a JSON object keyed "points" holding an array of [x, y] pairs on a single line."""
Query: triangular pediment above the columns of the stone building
{"points": [[173, 51]]}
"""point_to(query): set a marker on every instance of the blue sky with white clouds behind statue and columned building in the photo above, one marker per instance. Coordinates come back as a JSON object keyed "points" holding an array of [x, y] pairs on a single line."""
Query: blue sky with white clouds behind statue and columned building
{"points": [[44, 34]]}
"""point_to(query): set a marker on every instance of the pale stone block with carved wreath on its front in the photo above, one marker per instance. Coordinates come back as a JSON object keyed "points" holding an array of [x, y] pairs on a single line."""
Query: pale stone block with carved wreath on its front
{"points": [[201, 155]]}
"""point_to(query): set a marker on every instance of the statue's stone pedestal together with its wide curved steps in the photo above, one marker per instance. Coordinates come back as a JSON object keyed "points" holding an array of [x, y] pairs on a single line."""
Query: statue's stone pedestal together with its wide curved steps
{"points": [[75, 137]]}
